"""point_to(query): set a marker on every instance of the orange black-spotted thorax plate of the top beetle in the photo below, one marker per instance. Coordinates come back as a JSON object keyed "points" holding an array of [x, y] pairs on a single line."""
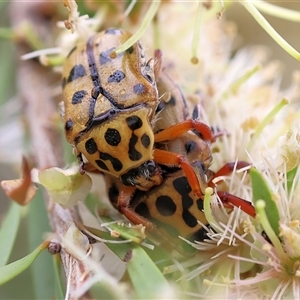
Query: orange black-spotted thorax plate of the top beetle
{"points": [[119, 144]]}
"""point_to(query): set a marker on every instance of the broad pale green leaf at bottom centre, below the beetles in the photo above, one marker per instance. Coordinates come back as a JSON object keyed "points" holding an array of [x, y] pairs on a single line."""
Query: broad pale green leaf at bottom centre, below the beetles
{"points": [[146, 278]]}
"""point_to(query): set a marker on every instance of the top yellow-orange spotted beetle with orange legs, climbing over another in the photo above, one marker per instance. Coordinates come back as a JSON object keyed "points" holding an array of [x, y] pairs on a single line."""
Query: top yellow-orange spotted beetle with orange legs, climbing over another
{"points": [[108, 109]]}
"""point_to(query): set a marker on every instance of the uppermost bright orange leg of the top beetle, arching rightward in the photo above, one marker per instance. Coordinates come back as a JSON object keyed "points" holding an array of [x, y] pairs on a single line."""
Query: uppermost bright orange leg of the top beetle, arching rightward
{"points": [[179, 129]]}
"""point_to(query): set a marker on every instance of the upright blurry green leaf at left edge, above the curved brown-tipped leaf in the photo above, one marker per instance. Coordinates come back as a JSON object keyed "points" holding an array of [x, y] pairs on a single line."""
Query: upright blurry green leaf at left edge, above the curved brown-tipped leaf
{"points": [[8, 232]]}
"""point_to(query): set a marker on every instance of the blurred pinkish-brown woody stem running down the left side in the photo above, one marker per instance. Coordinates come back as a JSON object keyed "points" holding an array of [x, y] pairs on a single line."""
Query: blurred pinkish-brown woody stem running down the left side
{"points": [[34, 86]]}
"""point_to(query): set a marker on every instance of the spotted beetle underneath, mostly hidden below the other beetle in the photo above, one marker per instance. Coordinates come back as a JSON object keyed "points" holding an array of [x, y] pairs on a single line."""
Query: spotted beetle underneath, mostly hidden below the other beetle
{"points": [[171, 209]]}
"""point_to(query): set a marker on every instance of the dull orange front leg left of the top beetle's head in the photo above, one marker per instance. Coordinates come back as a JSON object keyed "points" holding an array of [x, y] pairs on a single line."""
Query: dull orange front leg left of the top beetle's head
{"points": [[124, 198]]}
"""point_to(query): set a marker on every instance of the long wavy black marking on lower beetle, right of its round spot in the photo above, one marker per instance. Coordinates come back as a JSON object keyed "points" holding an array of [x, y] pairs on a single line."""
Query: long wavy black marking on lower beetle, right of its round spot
{"points": [[182, 186]]}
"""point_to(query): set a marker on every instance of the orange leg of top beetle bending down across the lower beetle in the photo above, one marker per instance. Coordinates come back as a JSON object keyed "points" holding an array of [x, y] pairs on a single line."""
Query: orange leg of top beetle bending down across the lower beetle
{"points": [[170, 158]]}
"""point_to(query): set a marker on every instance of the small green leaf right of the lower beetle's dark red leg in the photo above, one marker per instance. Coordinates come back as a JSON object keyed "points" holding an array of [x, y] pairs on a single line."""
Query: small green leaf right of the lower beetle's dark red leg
{"points": [[261, 191]]}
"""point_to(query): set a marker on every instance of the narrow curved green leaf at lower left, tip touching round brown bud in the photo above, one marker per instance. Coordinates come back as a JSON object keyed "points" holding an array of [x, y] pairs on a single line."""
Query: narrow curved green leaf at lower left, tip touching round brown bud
{"points": [[12, 270]]}
